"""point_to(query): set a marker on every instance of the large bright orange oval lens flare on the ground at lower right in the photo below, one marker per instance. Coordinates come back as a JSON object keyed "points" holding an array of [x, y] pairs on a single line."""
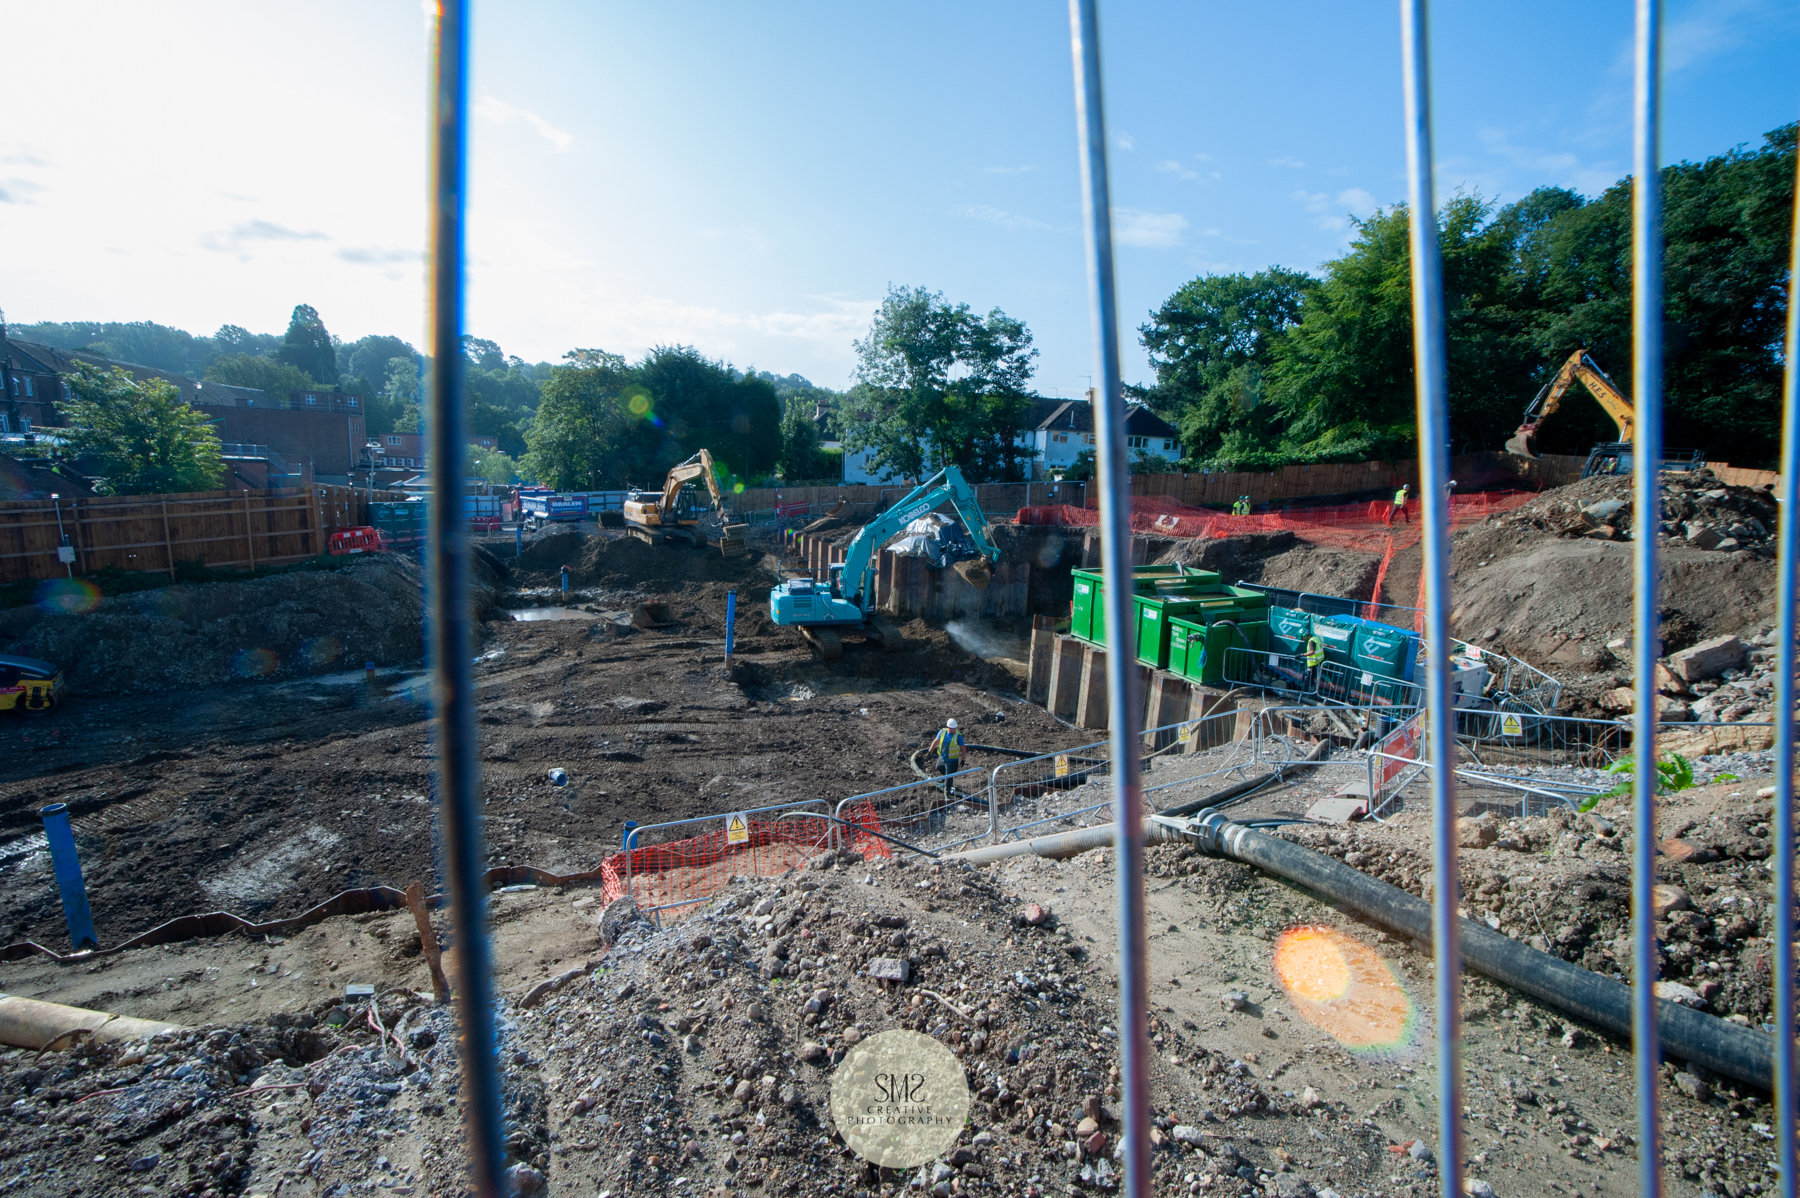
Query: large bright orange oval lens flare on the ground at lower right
{"points": [[1345, 990]]}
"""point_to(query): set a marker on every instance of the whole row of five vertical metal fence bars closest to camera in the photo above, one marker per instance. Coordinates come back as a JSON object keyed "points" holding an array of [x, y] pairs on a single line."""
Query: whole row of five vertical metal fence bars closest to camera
{"points": [[453, 690]]}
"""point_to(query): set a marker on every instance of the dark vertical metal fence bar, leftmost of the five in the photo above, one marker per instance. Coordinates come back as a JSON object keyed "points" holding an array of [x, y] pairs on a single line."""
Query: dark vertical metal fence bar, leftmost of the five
{"points": [[453, 684]]}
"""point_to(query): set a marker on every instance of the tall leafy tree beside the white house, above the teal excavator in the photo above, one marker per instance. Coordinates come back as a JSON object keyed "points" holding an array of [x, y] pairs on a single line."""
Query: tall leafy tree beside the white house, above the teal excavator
{"points": [[939, 384]]}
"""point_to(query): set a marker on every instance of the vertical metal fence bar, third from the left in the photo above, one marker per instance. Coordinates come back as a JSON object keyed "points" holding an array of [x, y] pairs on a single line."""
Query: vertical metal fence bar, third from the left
{"points": [[1435, 541]]}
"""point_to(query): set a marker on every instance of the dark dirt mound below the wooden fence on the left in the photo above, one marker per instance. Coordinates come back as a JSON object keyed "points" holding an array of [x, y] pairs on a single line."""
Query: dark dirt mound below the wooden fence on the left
{"points": [[201, 636]]}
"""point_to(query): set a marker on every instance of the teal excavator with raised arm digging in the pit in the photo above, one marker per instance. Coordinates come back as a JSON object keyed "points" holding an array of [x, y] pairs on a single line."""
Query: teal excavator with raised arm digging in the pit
{"points": [[847, 603]]}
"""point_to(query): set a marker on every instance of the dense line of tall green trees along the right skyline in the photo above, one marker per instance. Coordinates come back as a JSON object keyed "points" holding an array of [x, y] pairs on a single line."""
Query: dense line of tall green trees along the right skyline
{"points": [[1279, 366]]}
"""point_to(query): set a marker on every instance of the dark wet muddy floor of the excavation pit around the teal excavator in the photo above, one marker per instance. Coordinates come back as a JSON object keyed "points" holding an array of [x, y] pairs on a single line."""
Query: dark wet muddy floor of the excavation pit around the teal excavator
{"points": [[265, 798]]}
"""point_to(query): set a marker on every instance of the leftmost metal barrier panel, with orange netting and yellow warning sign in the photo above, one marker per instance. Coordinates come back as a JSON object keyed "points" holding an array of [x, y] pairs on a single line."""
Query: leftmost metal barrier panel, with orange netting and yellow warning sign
{"points": [[683, 863]]}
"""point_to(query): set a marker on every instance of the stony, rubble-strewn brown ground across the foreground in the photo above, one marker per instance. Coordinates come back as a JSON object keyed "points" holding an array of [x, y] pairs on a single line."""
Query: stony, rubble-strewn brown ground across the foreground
{"points": [[699, 1059]]}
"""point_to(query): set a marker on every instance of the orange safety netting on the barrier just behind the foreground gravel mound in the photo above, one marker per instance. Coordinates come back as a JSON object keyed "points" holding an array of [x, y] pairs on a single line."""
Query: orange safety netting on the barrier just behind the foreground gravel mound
{"points": [[694, 870]]}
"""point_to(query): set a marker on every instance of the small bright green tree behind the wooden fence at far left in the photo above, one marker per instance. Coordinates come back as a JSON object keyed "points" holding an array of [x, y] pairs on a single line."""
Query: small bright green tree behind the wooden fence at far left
{"points": [[139, 438]]}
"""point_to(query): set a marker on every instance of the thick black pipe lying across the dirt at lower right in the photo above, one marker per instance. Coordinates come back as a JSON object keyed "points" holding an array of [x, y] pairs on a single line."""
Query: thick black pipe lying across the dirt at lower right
{"points": [[1691, 1035]]}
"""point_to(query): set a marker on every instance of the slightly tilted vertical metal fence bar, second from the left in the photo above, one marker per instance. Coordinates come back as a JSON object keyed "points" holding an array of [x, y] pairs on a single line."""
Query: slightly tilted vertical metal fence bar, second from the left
{"points": [[1115, 564]]}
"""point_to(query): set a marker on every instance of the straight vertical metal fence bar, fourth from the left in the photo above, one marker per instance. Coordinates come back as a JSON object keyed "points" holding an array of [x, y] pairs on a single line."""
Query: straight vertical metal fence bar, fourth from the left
{"points": [[1648, 523]]}
